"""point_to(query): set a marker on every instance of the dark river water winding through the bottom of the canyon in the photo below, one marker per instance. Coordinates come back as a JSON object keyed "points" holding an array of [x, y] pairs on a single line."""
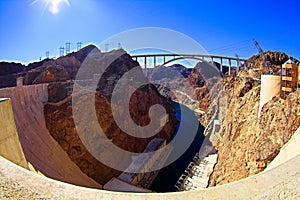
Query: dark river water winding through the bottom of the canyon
{"points": [[168, 176]]}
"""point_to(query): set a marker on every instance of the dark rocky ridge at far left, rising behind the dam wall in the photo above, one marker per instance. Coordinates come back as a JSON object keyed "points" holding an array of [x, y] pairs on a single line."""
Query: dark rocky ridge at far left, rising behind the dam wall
{"points": [[45, 71]]}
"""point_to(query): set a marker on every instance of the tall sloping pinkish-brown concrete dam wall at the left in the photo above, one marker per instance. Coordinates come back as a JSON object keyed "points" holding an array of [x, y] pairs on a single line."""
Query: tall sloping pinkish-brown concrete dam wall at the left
{"points": [[42, 153]]}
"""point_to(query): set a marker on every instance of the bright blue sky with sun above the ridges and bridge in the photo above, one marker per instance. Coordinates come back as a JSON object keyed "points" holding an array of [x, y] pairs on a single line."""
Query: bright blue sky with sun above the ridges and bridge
{"points": [[28, 30]]}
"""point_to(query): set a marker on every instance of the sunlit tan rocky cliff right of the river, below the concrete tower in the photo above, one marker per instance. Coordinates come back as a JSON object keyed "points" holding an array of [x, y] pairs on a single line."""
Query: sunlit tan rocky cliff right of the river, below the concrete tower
{"points": [[246, 144]]}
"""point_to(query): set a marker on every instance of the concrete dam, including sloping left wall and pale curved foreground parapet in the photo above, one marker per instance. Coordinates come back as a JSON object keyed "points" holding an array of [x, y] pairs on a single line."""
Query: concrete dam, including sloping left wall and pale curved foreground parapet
{"points": [[33, 166]]}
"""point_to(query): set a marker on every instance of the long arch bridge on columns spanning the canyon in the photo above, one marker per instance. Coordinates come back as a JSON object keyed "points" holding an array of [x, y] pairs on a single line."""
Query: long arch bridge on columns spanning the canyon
{"points": [[147, 60]]}
